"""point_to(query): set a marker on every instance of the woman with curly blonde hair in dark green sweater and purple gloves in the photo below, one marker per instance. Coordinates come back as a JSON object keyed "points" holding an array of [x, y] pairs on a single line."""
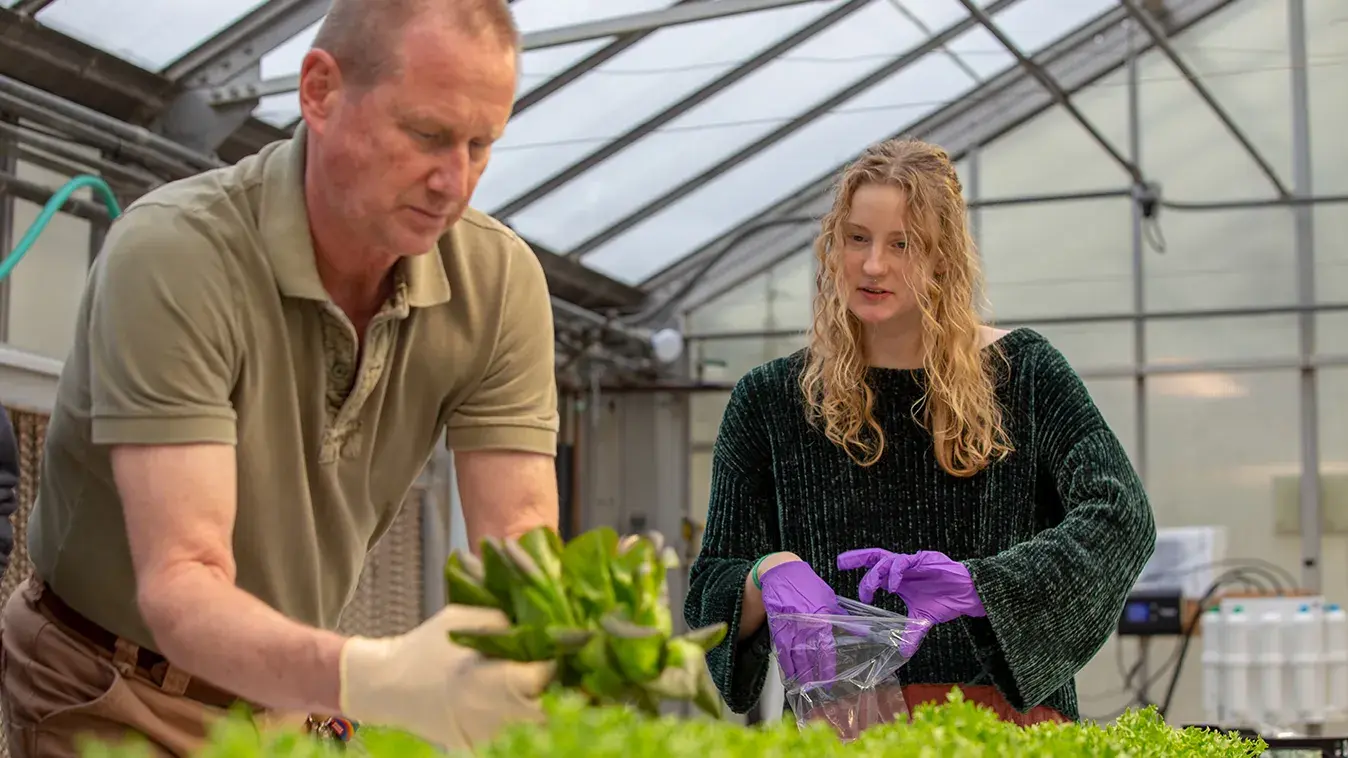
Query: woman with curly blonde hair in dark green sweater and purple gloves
{"points": [[923, 462]]}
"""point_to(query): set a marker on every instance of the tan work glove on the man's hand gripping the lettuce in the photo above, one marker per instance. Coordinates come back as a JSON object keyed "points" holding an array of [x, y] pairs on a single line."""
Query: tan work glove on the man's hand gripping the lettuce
{"points": [[441, 693]]}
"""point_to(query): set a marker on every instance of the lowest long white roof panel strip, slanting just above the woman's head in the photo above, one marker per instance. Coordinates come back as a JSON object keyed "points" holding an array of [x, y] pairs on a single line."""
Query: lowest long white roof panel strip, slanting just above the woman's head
{"points": [[731, 200]]}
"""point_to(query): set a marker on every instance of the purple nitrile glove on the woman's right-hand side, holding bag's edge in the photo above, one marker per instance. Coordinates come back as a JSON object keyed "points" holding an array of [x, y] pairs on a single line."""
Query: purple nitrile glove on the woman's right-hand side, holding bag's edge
{"points": [[933, 587]]}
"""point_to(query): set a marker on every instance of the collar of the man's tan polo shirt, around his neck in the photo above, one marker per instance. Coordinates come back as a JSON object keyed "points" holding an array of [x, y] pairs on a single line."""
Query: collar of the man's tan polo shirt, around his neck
{"points": [[284, 221]]}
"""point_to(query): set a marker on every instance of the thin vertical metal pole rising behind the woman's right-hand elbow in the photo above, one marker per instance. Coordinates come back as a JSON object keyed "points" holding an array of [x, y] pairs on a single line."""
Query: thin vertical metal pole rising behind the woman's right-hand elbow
{"points": [[1140, 287]]}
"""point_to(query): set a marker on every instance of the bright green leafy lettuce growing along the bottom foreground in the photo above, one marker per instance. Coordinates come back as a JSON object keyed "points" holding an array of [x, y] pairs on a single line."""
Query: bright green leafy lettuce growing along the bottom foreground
{"points": [[958, 729]]}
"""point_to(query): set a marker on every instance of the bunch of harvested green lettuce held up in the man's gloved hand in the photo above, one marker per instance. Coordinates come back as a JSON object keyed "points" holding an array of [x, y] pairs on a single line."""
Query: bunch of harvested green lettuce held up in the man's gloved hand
{"points": [[598, 606]]}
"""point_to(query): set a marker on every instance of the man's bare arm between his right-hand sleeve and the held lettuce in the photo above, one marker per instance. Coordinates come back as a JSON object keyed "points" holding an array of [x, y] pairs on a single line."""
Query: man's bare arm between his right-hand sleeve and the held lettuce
{"points": [[506, 493]]}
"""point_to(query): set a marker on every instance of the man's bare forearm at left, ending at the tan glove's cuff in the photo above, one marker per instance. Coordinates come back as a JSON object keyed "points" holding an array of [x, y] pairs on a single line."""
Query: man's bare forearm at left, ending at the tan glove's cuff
{"points": [[211, 629]]}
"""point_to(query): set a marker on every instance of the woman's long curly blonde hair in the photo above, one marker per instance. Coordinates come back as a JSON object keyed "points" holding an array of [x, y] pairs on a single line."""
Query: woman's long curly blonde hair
{"points": [[959, 407]]}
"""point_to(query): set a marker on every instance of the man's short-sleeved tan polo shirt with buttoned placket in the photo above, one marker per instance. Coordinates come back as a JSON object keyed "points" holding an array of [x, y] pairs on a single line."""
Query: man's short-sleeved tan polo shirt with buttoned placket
{"points": [[204, 320]]}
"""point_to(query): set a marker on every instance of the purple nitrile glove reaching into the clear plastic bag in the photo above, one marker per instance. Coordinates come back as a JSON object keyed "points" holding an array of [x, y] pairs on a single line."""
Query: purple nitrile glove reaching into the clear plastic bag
{"points": [[805, 649]]}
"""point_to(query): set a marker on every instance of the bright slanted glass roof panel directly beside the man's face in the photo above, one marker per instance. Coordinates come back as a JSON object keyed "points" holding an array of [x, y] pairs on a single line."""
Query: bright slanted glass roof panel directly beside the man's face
{"points": [[626, 91]]}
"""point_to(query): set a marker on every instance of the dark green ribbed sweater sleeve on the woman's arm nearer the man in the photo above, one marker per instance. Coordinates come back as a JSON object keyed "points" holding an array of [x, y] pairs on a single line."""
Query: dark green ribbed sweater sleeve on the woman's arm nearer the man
{"points": [[741, 528]]}
